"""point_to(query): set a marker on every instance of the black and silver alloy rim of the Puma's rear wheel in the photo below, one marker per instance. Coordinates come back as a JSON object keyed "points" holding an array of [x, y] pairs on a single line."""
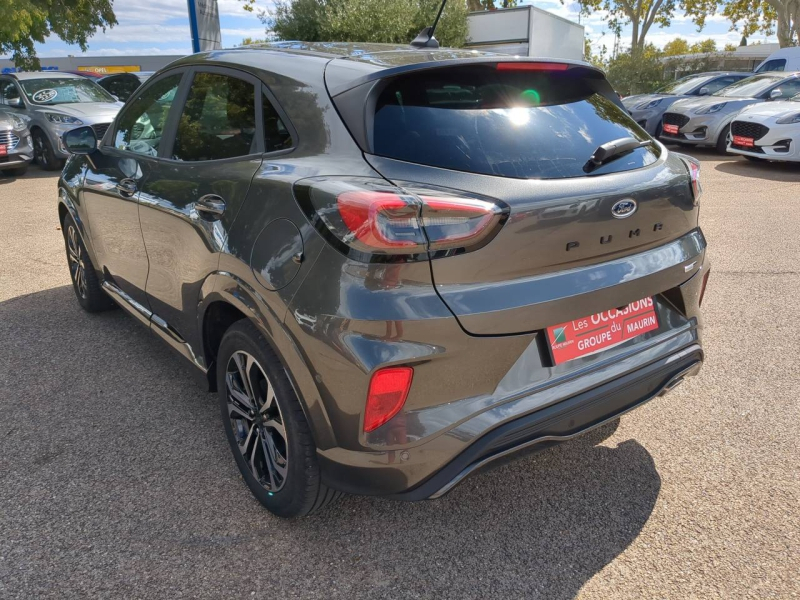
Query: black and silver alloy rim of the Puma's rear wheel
{"points": [[256, 420]]}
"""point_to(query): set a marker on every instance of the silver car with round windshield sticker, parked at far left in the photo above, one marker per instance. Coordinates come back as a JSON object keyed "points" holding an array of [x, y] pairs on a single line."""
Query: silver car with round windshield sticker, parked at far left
{"points": [[54, 103]]}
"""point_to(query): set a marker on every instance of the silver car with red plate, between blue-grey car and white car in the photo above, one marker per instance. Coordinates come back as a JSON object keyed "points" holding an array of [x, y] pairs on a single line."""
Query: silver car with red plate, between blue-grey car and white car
{"points": [[706, 121]]}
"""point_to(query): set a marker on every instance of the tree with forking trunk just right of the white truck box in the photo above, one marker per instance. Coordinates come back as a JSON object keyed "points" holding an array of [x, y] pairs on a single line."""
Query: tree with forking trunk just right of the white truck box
{"points": [[640, 14]]}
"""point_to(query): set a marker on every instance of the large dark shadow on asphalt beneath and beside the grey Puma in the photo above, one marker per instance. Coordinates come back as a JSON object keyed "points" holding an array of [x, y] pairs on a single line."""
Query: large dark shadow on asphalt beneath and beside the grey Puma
{"points": [[110, 455]]}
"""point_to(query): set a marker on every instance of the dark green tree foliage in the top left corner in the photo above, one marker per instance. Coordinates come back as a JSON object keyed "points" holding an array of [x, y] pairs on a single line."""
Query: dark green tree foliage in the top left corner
{"points": [[24, 22]]}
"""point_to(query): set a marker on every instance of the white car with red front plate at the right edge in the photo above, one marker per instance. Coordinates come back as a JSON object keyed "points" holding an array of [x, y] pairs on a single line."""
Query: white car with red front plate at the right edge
{"points": [[770, 130]]}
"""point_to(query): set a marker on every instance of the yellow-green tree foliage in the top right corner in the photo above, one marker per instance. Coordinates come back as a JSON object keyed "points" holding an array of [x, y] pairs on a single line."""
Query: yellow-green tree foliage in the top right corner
{"points": [[753, 16]]}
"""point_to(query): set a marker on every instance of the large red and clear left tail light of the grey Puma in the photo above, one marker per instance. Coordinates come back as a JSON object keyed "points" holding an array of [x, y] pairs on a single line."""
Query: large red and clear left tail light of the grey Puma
{"points": [[373, 220]]}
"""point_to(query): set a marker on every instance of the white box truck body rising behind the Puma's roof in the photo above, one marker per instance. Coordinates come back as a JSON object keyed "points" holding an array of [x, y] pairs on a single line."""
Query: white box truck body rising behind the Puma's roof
{"points": [[525, 31]]}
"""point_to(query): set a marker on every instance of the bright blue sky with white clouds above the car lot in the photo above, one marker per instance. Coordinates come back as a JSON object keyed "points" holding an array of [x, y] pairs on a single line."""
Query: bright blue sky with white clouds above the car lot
{"points": [[147, 27]]}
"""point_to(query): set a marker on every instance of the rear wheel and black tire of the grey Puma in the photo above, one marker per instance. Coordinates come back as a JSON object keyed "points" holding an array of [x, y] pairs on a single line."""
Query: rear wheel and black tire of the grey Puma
{"points": [[266, 427]]}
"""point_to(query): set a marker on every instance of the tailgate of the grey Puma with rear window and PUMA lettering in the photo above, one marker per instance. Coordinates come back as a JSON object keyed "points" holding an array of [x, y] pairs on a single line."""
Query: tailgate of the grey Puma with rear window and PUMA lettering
{"points": [[522, 133]]}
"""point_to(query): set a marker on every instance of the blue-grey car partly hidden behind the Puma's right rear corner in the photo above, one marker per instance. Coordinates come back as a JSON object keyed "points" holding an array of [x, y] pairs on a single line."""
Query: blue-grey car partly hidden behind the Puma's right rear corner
{"points": [[648, 109]]}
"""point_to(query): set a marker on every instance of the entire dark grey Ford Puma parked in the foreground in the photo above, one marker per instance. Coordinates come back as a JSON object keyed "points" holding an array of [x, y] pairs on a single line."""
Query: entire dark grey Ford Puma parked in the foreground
{"points": [[394, 266]]}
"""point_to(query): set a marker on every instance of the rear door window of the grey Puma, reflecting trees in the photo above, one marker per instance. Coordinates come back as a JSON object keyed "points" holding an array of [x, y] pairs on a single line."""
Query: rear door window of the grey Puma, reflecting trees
{"points": [[218, 121]]}
